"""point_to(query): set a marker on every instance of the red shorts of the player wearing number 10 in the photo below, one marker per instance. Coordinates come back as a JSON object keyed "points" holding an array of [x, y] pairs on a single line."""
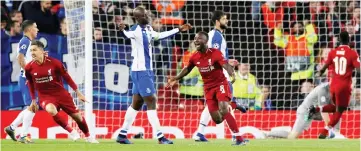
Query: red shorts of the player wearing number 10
{"points": [[341, 95]]}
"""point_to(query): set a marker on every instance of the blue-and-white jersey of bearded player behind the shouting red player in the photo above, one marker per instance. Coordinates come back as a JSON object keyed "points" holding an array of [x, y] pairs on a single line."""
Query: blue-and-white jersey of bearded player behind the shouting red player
{"points": [[217, 41]]}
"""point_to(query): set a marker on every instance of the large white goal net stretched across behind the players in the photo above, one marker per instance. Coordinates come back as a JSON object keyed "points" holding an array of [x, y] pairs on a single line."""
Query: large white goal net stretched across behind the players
{"points": [[279, 46]]}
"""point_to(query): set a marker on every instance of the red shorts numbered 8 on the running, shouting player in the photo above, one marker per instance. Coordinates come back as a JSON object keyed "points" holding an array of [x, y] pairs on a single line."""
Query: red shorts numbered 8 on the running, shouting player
{"points": [[216, 94]]}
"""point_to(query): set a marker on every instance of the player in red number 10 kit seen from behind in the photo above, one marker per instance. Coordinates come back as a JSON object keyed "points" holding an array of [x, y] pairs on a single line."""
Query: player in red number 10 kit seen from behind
{"points": [[343, 60]]}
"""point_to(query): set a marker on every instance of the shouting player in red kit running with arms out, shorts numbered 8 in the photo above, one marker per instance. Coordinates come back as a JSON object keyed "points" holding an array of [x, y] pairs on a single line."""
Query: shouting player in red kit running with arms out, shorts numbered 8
{"points": [[211, 63]]}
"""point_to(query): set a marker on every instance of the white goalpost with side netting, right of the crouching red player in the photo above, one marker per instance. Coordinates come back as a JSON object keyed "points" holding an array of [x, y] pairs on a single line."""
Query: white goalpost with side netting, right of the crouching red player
{"points": [[79, 25]]}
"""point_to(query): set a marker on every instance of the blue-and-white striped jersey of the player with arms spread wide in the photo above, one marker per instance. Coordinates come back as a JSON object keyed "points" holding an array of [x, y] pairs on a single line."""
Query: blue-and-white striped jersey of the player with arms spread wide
{"points": [[141, 37]]}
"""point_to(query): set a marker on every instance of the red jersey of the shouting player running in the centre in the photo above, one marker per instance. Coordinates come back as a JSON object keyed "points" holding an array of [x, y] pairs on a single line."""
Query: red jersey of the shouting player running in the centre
{"points": [[210, 66]]}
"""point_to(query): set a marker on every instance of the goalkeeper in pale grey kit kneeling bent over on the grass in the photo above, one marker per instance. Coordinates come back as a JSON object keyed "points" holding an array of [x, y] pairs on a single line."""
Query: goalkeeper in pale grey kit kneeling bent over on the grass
{"points": [[319, 96]]}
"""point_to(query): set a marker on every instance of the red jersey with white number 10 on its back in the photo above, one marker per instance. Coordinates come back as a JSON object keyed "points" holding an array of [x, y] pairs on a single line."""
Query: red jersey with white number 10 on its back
{"points": [[342, 60]]}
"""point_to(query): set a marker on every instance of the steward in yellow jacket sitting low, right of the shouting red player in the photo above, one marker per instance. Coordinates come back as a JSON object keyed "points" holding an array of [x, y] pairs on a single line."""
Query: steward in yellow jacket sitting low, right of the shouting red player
{"points": [[245, 88]]}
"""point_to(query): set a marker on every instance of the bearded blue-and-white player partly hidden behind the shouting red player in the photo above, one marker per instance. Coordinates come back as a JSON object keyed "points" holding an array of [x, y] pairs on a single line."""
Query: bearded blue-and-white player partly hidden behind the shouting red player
{"points": [[217, 41]]}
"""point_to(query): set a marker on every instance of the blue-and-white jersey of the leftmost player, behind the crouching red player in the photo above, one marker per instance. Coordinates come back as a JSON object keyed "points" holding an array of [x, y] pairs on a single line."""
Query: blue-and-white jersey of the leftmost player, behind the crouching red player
{"points": [[24, 48]]}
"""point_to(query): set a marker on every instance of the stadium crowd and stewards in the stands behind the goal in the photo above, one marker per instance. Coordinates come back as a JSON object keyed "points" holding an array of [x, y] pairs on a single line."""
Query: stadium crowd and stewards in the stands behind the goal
{"points": [[278, 45]]}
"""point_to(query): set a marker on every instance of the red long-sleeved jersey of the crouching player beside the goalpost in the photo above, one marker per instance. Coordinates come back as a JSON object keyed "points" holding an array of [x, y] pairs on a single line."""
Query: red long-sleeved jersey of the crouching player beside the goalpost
{"points": [[46, 78]]}
